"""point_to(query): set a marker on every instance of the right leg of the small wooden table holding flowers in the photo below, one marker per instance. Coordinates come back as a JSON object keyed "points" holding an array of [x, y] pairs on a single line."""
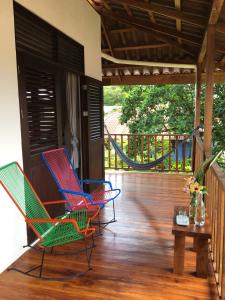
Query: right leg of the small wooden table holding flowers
{"points": [[202, 257]]}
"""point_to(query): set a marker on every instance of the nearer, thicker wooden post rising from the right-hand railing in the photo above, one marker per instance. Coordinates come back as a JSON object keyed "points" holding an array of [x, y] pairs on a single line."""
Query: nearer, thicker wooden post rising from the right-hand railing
{"points": [[208, 107]]}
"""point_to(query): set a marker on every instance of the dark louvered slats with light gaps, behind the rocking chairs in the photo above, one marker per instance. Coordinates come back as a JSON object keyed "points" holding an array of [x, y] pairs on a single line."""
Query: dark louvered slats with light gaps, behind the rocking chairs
{"points": [[41, 110]]}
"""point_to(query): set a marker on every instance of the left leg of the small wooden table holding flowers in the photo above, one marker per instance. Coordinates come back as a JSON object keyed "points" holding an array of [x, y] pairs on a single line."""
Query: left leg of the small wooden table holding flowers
{"points": [[179, 249]]}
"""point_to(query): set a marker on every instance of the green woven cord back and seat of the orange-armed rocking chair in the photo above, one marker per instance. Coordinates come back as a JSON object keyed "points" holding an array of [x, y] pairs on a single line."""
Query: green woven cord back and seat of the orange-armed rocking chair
{"points": [[23, 195]]}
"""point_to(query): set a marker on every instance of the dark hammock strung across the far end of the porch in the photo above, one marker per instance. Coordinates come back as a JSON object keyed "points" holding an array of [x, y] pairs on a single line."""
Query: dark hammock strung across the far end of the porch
{"points": [[145, 166]]}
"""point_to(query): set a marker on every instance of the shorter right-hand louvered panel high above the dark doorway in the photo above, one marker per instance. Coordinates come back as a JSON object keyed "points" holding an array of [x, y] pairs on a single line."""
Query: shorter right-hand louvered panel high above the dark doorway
{"points": [[70, 53]]}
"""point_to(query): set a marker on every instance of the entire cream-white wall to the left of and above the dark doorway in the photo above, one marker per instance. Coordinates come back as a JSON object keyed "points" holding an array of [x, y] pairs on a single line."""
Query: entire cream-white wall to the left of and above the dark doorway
{"points": [[78, 20]]}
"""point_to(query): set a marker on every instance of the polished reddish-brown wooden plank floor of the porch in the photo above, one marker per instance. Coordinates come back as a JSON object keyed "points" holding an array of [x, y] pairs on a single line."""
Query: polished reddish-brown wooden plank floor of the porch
{"points": [[133, 259]]}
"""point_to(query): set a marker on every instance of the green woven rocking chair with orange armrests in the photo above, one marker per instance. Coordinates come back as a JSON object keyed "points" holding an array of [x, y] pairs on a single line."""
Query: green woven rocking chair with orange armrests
{"points": [[50, 232]]}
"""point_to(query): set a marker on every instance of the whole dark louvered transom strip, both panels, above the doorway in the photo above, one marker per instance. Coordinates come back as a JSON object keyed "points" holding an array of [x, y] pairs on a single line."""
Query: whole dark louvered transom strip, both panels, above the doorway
{"points": [[36, 37]]}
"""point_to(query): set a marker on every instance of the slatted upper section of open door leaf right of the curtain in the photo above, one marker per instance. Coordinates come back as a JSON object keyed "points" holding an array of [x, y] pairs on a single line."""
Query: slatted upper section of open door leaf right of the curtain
{"points": [[95, 111]]}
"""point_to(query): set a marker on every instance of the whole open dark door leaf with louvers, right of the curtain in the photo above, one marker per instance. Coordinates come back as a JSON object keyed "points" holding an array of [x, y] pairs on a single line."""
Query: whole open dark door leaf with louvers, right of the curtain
{"points": [[92, 129]]}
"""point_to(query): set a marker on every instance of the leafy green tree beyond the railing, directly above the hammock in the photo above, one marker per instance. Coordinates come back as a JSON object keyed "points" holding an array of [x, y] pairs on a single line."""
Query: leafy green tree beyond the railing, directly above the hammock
{"points": [[159, 108]]}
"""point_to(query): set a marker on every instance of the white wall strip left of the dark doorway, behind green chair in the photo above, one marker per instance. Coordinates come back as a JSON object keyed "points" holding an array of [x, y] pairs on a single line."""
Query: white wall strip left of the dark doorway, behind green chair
{"points": [[12, 225]]}
